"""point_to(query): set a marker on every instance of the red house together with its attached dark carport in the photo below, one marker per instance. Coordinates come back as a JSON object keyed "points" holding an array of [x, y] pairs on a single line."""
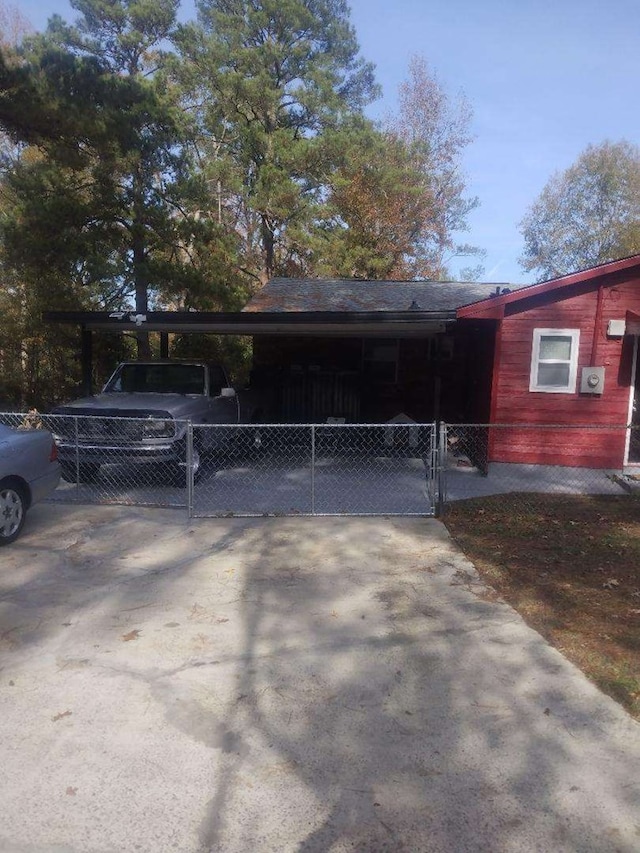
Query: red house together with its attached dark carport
{"points": [[554, 367]]}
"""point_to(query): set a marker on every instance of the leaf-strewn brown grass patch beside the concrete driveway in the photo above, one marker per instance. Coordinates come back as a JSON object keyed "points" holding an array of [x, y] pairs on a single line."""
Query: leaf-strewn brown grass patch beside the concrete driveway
{"points": [[570, 565]]}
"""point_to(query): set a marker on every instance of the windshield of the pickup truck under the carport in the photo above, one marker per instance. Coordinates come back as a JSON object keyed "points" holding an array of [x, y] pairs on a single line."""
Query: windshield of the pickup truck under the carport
{"points": [[158, 379]]}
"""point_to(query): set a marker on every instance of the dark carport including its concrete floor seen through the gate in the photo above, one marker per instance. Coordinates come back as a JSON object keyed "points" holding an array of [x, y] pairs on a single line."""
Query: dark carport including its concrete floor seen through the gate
{"points": [[354, 376]]}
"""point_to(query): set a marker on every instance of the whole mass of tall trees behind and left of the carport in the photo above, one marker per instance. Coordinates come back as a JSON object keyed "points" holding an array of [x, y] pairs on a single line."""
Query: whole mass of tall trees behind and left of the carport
{"points": [[153, 166]]}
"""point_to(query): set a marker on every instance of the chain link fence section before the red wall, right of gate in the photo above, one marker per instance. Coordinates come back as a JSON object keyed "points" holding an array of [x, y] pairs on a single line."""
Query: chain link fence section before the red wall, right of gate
{"points": [[530, 461]]}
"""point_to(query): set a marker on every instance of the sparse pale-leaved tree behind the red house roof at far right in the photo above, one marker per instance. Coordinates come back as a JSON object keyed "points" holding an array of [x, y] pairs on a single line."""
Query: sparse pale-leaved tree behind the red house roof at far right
{"points": [[586, 215]]}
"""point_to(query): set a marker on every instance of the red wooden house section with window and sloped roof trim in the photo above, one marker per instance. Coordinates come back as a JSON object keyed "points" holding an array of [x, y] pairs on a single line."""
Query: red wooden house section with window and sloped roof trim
{"points": [[566, 354]]}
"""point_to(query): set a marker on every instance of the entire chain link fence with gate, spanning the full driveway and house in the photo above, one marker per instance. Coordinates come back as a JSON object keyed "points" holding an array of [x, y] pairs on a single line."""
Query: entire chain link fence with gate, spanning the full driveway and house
{"points": [[330, 469]]}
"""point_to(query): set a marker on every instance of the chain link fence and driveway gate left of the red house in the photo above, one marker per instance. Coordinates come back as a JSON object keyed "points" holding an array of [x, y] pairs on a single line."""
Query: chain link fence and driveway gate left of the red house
{"points": [[242, 469]]}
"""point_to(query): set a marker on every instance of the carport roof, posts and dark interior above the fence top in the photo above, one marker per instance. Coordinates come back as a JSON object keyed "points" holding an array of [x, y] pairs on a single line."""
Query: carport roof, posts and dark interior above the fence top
{"points": [[362, 351]]}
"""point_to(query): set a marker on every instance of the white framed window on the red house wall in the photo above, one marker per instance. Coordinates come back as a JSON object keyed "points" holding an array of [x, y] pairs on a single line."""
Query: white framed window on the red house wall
{"points": [[554, 360]]}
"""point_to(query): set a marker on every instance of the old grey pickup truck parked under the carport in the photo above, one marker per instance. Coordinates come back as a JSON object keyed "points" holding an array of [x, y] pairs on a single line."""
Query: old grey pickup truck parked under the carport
{"points": [[142, 415]]}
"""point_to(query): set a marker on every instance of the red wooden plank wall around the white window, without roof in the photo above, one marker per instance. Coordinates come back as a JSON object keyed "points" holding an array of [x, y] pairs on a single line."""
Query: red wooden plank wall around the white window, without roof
{"points": [[513, 403]]}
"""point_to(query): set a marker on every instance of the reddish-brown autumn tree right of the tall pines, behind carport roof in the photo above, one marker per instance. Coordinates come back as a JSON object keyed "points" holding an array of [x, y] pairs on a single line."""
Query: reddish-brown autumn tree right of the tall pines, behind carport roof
{"points": [[395, 196]]}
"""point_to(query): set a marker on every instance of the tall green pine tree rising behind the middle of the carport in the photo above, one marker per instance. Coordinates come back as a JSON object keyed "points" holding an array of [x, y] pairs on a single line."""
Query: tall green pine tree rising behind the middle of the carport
{"points": [[266, 80]]}
